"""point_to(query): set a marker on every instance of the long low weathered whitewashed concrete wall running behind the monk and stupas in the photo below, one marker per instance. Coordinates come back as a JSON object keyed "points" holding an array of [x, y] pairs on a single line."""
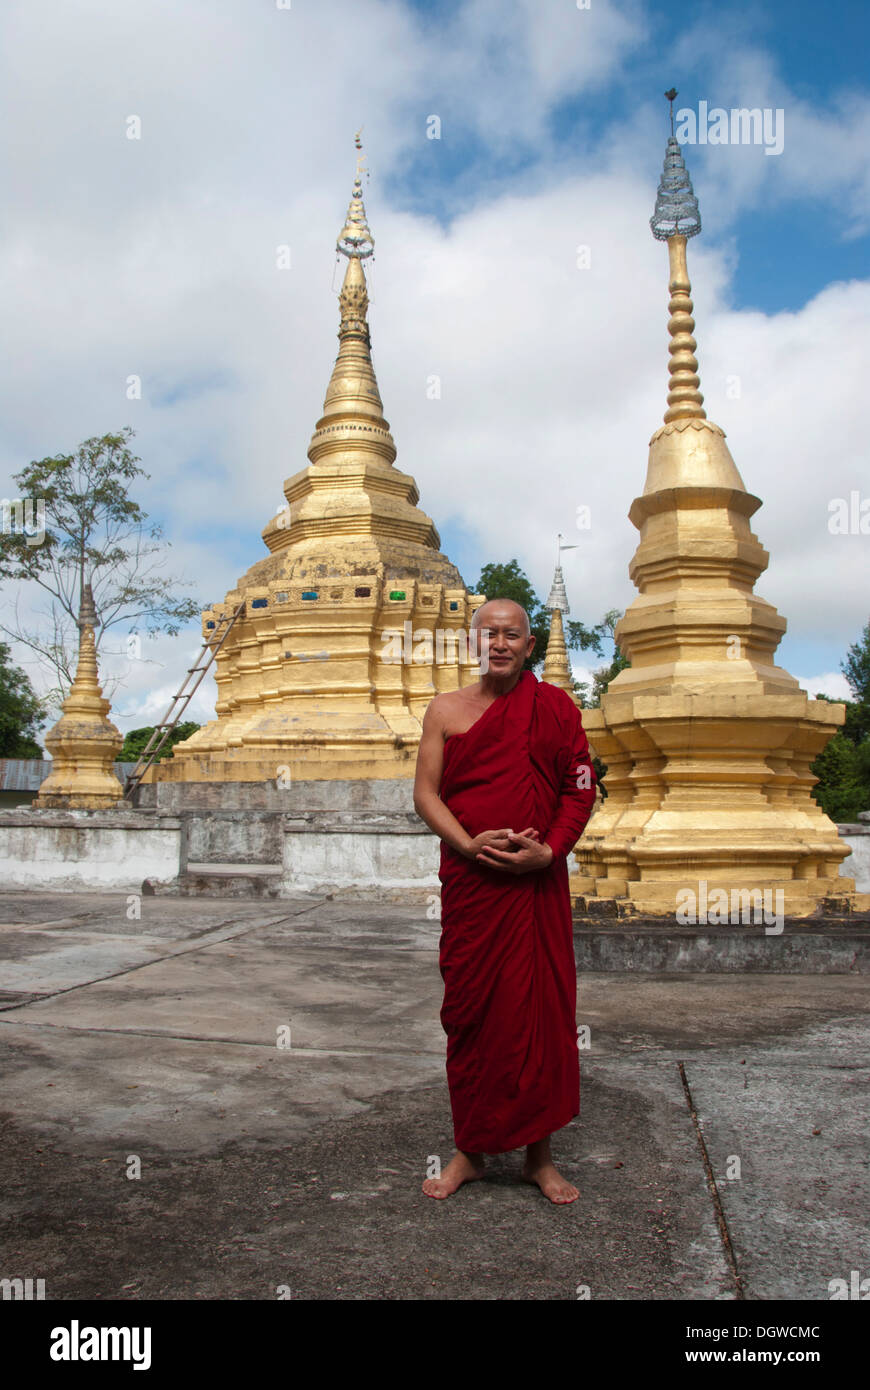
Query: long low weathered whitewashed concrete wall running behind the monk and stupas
{"points": [[362, 836]]}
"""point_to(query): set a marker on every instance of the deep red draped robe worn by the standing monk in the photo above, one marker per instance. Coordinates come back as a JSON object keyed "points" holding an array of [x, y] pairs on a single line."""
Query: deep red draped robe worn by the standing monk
{"points": [[507, 943]]}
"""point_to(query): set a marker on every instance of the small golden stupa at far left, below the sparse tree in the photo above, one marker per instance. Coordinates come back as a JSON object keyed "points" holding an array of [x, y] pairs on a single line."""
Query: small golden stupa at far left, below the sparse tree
{"points": [[84, 744]]}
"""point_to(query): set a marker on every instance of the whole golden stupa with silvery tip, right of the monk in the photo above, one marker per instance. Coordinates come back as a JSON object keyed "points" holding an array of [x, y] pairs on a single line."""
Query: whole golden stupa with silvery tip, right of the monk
{"points": [[708, 743]]}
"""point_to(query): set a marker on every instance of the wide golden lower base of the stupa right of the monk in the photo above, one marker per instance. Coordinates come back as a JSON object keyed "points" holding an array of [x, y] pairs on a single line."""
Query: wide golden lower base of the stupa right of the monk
{"points": [[711, 793]]}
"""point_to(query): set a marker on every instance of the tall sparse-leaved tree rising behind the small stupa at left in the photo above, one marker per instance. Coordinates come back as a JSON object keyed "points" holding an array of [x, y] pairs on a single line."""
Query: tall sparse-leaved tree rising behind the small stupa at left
{"points": [[94, 533]]}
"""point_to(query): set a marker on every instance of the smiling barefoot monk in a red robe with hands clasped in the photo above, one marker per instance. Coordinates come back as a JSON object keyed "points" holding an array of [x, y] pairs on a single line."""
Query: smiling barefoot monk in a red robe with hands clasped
{"points": [[505, 780]]}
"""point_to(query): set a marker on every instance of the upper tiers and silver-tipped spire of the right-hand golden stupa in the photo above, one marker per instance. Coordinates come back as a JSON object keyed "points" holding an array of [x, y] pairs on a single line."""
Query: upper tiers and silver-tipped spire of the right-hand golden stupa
{"points": [[697, 622]]}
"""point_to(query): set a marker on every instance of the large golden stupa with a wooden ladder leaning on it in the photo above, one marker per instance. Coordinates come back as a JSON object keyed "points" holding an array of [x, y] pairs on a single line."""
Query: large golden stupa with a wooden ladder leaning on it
{"points": [[356, 619]]}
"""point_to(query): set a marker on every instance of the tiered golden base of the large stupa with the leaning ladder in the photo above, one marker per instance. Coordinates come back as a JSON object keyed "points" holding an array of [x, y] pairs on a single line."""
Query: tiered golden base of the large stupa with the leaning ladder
{"points": [[340, 693]]}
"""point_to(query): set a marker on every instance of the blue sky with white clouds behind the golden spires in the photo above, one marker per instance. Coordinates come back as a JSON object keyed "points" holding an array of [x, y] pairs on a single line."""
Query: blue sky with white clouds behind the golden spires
{"points": [[158, 258]]}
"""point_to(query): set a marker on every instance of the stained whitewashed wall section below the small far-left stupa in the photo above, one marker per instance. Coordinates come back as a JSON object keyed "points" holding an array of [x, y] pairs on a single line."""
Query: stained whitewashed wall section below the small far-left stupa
{"points": [[73, 850]]}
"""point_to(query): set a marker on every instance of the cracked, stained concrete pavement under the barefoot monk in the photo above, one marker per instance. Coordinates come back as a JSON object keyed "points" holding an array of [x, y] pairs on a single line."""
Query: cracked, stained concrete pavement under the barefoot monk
{"points": [[301, 1167]]}
